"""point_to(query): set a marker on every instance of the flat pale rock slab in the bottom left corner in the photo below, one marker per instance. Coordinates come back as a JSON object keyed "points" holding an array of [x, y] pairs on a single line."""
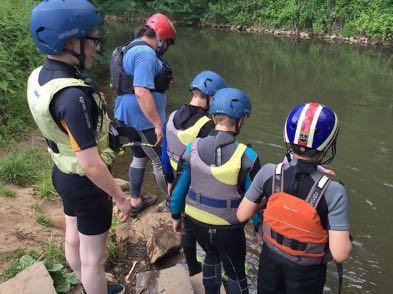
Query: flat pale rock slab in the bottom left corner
{"points": [[33, 280]]}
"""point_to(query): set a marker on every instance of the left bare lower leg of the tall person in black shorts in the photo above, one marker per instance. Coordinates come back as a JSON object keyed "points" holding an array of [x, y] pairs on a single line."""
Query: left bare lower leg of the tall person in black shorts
{"points": [[72, 246]]}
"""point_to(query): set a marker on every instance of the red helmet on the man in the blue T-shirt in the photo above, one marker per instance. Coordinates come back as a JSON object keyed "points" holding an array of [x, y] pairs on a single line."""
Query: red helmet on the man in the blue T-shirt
{"points": [[164, 28]]}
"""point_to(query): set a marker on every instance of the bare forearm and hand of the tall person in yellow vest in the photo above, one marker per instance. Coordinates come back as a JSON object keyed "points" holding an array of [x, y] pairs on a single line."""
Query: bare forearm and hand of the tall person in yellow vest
{"points": [[96, 170]]}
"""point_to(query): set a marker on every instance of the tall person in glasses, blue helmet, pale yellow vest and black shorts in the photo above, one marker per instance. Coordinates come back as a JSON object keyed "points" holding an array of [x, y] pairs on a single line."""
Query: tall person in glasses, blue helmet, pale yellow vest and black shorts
{"points": [[72, 118]]}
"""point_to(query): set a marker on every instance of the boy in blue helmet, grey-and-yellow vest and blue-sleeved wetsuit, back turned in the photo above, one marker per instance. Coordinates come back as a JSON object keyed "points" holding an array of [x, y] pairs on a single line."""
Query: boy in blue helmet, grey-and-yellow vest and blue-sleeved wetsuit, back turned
{"points": [[216, 172]]}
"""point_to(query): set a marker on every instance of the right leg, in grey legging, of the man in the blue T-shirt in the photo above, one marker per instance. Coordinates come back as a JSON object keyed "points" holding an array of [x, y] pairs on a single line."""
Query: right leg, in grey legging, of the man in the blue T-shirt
{"points": [[154, 153]]}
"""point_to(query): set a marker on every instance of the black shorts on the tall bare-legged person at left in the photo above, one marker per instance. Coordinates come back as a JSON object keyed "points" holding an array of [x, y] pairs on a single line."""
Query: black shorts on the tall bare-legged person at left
{"points": [[83, 199]]}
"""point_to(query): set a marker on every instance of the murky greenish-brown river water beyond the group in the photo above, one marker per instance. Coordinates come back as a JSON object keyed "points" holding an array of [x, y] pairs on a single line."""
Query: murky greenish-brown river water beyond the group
{"points": [[278, 74]]}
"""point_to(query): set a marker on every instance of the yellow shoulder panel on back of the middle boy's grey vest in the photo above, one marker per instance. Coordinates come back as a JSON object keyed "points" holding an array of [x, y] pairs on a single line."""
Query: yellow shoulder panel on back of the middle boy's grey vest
{"points": [[228, 172]]}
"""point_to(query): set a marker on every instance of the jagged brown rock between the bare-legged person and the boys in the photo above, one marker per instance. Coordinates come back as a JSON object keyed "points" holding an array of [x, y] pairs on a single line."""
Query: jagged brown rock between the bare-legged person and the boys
{"points": [[160, 238]]}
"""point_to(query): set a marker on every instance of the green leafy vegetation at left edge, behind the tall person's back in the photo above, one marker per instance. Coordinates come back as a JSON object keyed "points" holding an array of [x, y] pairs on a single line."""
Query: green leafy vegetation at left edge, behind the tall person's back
{"points": [[18, 57]]}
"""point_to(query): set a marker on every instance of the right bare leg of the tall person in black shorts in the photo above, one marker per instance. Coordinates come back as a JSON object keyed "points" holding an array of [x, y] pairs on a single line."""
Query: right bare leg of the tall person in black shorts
{"points": [[93, 256]]}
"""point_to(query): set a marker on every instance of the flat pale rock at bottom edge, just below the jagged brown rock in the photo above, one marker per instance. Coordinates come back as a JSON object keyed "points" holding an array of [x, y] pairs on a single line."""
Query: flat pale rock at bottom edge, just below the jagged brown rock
{"points": [[173, 280]]}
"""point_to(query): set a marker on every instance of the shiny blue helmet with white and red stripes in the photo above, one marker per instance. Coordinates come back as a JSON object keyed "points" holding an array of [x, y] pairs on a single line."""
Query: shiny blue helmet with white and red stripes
{"points": [[311, 126]]}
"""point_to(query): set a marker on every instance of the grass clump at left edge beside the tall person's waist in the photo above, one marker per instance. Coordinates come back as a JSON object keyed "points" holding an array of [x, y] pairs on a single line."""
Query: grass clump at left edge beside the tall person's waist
{"points": [[24, 167]]}
